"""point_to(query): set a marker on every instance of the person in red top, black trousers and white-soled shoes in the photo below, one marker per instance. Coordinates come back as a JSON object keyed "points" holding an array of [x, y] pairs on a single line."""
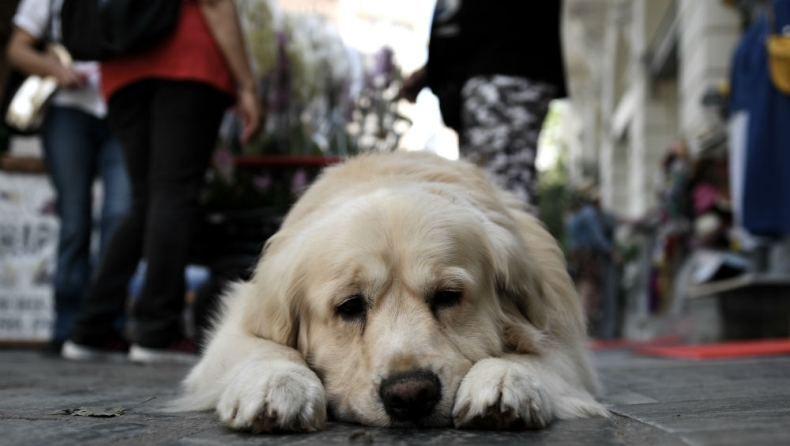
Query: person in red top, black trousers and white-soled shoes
{"points": [[165, 106]]}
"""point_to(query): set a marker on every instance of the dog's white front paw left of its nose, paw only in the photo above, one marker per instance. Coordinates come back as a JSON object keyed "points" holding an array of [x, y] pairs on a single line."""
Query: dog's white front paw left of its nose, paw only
{"points": [[273, 396]]}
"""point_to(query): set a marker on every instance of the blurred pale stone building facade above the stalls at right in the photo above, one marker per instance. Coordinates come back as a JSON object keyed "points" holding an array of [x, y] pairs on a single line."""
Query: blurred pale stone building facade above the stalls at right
{"points": [[639, 71]]}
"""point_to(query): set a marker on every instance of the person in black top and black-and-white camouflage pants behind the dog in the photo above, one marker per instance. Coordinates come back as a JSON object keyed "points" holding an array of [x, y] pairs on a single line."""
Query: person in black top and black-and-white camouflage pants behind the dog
{"points": [[495, 67]]}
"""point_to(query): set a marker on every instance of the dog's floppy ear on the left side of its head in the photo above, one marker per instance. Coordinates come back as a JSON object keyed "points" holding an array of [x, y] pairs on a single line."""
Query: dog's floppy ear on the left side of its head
{"points": [[272, 310]]}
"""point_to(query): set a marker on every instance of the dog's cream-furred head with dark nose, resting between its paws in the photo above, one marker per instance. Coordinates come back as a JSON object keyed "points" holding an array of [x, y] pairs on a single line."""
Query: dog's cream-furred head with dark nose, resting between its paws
{"points": [[392, 296]]}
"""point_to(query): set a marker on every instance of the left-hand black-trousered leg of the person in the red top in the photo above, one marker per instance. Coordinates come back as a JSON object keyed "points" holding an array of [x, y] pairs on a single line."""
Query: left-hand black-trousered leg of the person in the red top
{"points": [[104, 302]]}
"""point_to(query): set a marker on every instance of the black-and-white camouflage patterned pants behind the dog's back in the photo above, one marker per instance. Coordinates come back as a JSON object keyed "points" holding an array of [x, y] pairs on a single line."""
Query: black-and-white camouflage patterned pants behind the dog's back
{"points": [[502, 117]]}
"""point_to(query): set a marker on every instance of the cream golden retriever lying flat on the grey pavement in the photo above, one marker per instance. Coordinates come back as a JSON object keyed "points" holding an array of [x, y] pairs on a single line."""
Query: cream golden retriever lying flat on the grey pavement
{"points": [[403, 289]]}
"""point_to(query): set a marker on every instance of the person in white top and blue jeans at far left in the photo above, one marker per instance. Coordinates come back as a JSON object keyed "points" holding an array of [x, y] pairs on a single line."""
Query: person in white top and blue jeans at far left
{"points": [[78, 147]]}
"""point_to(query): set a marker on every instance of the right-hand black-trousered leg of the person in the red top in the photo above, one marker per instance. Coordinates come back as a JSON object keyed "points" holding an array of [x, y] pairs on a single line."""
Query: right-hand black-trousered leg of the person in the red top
{"points": [[185, 121]]}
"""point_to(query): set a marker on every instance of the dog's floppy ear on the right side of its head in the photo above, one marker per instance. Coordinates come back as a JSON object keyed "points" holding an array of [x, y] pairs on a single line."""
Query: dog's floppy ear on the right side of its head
{"points": [[537, 296]]}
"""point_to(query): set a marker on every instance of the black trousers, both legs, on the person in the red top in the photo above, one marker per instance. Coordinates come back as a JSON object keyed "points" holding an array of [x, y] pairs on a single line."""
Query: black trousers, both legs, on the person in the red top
{"points": [[168, 130]]}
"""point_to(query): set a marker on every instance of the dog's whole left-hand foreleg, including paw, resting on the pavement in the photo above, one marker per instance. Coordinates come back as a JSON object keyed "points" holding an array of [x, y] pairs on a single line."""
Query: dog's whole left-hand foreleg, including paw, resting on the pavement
{"points": [[255, 384]]}
